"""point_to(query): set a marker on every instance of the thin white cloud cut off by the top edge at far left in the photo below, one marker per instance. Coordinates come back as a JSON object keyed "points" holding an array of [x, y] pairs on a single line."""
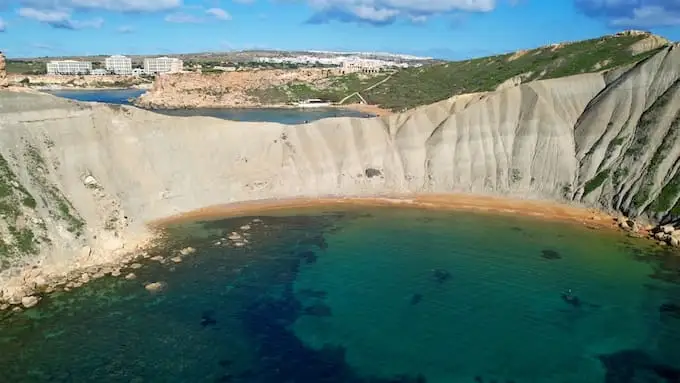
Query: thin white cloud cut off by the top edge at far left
{"points": [[109, 5]]}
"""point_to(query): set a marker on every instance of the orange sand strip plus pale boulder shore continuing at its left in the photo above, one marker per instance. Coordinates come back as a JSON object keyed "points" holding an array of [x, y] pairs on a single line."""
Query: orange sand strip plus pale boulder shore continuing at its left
{"points": [[31, 284]]}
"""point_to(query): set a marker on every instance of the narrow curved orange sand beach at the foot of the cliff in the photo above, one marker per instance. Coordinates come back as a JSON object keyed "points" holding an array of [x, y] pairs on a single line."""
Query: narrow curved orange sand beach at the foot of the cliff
{"points": [[500, 205]]}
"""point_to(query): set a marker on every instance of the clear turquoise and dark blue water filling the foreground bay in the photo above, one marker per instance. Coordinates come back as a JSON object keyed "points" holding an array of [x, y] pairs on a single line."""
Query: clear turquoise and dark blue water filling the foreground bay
{"points": [[377, 295]]}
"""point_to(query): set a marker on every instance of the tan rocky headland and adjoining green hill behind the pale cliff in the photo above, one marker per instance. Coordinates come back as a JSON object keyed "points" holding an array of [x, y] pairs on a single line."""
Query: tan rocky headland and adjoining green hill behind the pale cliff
{"points": [[407, 88]]}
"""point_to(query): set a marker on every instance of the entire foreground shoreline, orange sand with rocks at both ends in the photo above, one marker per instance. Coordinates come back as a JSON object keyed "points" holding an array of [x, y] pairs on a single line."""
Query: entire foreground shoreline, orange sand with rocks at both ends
{"points": [[34, 283]]}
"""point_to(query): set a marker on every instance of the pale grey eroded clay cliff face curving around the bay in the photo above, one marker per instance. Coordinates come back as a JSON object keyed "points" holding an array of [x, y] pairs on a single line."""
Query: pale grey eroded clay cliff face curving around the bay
{"points": [[79, 180]]}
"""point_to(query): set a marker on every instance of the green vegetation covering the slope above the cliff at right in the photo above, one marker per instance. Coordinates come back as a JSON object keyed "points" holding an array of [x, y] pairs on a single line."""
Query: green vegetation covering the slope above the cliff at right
{"points": [[425, 85]]}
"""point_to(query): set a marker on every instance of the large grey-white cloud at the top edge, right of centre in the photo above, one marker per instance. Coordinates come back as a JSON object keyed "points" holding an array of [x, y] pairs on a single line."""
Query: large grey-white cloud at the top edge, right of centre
{"points": [[385, 11]]}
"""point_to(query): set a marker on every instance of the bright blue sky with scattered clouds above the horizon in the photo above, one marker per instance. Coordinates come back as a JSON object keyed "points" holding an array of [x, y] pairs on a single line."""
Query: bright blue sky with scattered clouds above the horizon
{"points": [[452, 29]]}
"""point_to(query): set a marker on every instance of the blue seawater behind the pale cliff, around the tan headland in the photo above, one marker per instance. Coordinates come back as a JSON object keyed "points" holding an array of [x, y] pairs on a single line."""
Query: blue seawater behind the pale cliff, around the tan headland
{"points": [[280, 115]]}
